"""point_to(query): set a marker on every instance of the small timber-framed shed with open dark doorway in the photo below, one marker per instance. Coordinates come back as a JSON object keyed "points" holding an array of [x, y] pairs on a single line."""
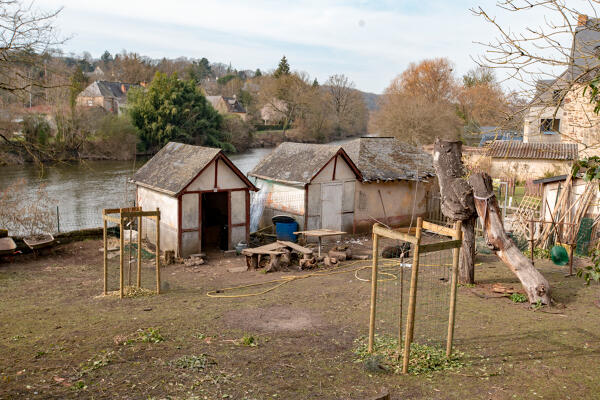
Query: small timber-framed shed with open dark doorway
{"points": [[204, 199]]}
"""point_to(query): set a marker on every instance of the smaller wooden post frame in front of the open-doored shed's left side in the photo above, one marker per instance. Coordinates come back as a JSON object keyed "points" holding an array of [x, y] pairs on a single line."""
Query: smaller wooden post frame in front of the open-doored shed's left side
{"points": [[129, 214]]}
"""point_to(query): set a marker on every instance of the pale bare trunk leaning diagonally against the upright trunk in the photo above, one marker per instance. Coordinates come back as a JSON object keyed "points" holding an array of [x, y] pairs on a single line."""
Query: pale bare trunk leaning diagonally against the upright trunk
{"points": [[534, 283]]}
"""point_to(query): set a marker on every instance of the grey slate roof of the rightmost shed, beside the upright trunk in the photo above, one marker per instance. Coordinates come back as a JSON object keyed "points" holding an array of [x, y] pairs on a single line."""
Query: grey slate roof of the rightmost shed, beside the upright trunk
{"points": [[388, 159]]}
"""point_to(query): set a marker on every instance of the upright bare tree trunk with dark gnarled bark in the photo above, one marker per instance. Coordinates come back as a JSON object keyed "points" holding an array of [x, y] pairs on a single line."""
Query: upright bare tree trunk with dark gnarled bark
{"points": [[457, 201]]}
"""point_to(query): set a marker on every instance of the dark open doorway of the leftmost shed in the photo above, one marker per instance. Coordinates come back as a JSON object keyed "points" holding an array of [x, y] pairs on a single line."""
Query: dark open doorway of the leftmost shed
{"points": [[215, 229]]}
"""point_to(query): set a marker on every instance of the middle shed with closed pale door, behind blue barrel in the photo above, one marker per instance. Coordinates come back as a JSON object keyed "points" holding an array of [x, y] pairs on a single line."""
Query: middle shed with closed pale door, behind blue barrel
{"points": [[314, 183]]}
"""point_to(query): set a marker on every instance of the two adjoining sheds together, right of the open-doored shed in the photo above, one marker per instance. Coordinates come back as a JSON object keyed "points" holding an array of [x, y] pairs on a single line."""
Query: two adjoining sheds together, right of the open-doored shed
{"points": [[346, 187]]}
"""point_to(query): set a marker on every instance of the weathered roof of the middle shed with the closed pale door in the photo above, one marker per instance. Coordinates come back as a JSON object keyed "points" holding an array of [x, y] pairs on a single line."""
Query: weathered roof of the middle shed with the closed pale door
{"points": [[298, 163]]}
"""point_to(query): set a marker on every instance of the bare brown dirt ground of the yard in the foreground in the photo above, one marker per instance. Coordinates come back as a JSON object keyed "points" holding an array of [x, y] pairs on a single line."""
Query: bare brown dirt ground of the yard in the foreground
{"points": [[60, 339]]}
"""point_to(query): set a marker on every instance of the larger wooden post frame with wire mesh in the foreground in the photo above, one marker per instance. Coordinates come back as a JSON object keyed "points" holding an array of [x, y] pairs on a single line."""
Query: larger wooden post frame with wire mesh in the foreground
{"points": [[418, 249]]}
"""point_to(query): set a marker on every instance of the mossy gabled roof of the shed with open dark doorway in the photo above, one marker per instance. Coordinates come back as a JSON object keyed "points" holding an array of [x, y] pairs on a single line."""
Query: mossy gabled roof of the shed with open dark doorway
{"points": [[176, 165]]}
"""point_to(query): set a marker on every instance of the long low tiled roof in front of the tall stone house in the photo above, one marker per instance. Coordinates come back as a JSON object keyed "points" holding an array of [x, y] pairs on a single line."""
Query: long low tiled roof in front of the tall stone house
{"points": [[540, 151]]}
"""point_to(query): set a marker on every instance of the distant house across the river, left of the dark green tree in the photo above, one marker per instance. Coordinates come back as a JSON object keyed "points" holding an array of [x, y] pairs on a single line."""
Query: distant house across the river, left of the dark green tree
{"points": [[111, 96]]}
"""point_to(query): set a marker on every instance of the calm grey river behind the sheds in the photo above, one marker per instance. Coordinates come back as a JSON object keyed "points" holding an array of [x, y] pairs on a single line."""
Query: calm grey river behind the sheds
{"points": [[79, 191]]}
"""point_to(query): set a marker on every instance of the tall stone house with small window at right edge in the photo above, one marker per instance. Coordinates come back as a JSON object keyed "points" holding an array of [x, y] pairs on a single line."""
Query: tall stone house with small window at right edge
{"points": [[560, 112]]}
